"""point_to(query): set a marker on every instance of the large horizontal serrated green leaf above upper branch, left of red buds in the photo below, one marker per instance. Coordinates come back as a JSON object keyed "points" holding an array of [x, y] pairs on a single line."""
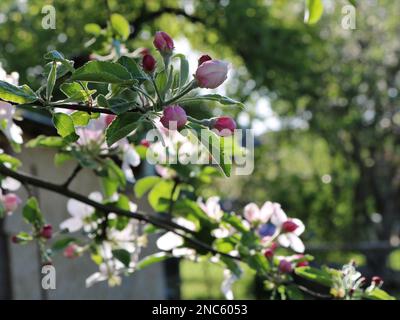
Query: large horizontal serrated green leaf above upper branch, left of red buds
{"points": [[102, 72]]}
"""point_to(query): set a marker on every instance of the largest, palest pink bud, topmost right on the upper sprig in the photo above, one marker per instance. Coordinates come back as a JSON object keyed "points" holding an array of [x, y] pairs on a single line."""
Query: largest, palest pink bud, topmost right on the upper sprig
{"points": [[211, 74]]}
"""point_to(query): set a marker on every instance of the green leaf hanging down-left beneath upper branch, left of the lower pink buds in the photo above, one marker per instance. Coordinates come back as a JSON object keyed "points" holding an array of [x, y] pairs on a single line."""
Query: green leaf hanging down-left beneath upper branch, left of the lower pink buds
{"points": [[122, 126]]}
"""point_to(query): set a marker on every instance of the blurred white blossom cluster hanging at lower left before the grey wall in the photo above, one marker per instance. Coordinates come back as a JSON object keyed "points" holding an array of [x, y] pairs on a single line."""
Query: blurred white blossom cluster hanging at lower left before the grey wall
{"points": [[115, 237]]}
